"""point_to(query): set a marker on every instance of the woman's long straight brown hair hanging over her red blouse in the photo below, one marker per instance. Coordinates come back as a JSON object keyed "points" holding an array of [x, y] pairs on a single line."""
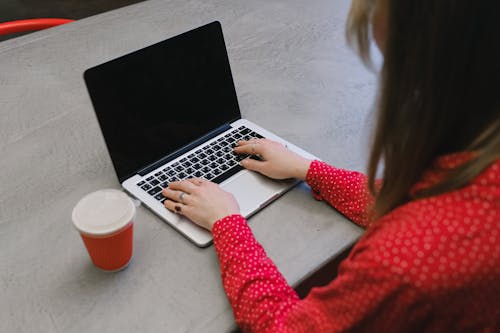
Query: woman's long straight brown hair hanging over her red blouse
{"points": [[439, 92]]}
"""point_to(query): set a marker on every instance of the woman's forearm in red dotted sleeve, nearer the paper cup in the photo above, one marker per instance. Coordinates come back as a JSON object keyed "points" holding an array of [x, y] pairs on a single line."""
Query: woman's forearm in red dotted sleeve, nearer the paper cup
{"points": [[258, 293]]}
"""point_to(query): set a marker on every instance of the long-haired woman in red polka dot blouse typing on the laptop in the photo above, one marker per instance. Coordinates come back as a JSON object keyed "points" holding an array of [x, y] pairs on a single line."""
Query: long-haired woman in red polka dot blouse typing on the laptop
{"points": [[429, 260]]}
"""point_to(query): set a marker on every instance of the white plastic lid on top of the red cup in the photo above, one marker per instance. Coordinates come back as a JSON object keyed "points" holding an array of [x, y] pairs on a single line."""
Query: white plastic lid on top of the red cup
{"points": [[103, 212]]}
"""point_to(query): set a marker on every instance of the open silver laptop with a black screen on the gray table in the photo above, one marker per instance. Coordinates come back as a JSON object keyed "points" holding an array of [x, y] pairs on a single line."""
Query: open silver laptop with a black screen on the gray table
{"points": [[169, 112]]}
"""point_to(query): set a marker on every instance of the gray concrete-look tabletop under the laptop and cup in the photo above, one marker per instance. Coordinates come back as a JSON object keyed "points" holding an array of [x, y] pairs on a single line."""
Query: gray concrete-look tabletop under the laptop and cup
{"points": [[293, 73]]}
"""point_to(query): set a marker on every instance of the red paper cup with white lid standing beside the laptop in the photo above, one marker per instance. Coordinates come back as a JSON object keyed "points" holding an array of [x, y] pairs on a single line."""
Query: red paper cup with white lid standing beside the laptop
{"points": [[105, 220]]}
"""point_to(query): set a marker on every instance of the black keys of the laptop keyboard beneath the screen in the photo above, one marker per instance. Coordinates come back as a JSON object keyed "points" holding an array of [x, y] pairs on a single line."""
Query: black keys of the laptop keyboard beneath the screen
{"points": [[215, 161]]}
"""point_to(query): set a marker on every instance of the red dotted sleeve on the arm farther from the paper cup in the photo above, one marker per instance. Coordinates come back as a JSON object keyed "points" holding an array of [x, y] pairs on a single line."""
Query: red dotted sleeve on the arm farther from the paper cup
{"points": [[345, 190]]}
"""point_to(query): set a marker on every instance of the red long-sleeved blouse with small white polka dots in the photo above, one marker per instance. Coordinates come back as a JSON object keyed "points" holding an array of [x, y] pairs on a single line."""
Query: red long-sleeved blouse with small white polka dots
{"points": [[431, 265]]}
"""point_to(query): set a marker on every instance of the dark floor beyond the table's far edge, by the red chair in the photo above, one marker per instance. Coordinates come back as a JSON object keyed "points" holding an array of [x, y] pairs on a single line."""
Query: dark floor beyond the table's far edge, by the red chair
{"points": [[73, 9]]}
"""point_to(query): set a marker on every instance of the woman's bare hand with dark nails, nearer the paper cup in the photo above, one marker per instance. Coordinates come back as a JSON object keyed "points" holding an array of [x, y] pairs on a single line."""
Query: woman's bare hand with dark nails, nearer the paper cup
{"points": [[200, 200]]}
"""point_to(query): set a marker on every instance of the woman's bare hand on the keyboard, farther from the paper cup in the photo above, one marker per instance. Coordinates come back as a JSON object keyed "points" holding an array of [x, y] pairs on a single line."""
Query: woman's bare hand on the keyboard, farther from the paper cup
{"points": [[277, 161]]}
